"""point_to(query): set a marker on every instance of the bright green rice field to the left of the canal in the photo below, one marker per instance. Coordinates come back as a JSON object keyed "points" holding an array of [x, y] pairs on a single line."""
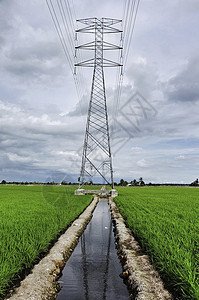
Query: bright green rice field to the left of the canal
{"points": [[31, 217]]}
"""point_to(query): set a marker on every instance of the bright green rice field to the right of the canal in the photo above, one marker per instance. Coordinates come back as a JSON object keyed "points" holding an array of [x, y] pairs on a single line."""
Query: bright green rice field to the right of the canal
{"points": [[165, 222]]}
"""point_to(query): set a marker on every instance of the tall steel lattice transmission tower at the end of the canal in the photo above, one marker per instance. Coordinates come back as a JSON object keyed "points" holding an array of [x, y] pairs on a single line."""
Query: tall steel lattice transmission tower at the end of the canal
{"points": [[96, 157]]}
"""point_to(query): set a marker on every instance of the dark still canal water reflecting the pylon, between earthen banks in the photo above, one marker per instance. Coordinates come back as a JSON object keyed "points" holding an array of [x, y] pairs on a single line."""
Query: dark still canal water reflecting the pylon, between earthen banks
{"points": [[92, 272]]}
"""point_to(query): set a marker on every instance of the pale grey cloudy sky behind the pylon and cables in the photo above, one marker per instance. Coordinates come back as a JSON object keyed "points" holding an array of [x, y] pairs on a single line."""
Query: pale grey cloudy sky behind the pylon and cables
{"points": [[41, 123]]}
